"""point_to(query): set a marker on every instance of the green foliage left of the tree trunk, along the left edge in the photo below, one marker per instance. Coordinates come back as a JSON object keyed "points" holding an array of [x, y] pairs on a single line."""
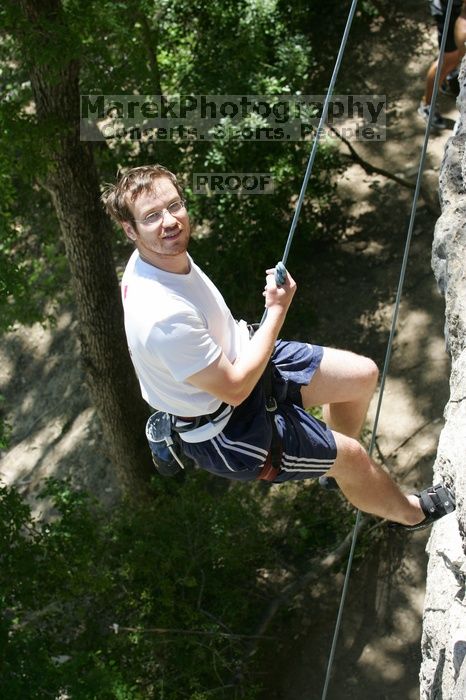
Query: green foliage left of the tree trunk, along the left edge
{"points": [[33, 270]]}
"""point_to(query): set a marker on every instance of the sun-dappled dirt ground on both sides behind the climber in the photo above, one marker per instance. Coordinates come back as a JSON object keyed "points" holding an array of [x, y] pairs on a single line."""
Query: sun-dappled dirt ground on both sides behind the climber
{"points": [[54, 430]]}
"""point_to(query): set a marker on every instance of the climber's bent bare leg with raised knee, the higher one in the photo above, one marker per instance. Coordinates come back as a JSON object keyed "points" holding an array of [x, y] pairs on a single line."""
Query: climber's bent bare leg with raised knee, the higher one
{"points": [[344, 384]]}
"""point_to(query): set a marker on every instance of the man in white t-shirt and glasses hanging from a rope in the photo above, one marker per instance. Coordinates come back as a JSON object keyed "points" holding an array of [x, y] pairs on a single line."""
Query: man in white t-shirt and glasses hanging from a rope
{"points": [[213, 375]]}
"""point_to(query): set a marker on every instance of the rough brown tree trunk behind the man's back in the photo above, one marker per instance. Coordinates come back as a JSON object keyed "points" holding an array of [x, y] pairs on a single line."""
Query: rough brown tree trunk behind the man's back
{"points": [[73, 183]]}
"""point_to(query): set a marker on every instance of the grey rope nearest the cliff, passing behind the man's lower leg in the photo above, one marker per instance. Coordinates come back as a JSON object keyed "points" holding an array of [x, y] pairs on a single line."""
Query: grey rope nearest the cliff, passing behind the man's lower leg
{"points": [[392, 334]]}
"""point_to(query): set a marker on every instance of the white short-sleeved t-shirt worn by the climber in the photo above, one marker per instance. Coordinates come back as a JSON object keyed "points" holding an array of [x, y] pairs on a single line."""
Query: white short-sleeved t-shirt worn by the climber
{"points": [[176, 325]]}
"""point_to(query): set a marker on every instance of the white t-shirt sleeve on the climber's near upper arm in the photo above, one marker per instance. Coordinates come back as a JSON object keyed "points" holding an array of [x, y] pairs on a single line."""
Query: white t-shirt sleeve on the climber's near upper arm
{"points": [[183, 343]]}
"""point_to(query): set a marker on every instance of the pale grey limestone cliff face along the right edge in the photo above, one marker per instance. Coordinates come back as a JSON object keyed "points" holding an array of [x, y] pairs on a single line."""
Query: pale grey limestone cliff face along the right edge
{"points": [[443, 669]]}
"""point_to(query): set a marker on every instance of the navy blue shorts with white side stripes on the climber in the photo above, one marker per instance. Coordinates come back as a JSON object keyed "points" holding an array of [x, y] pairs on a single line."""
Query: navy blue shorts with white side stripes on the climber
{"points": [[240, 450]]}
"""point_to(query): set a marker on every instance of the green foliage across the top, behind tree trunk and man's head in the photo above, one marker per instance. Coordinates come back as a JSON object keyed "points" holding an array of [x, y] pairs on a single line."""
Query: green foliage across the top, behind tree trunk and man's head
{"points": [[141, 47]]}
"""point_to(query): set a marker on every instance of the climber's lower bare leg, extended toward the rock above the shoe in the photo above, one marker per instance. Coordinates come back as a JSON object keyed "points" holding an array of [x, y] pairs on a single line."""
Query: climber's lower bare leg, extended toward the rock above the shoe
{"points": [[368, 487]]}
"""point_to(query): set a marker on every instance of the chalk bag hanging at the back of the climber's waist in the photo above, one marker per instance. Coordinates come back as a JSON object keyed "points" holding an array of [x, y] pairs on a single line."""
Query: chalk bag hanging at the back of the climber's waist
{"points": [[165, 450]]}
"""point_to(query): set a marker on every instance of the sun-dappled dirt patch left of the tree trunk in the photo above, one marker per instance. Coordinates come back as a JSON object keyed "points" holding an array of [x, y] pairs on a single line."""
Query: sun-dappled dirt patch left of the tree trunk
{"points": [[54, 431]]}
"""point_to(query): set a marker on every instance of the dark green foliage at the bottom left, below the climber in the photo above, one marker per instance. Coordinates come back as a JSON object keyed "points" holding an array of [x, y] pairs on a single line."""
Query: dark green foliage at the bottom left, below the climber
{"points": [[145, 601]]}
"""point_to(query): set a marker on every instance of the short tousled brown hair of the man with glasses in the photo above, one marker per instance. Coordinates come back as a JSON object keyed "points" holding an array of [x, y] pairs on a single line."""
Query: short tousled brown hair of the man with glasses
{"points": [[116, 198]]}
